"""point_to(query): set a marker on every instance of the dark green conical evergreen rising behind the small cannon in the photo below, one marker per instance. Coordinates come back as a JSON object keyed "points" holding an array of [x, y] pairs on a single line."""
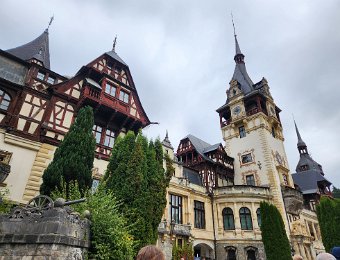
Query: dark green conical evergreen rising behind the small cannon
{"points": [[73, 159]]}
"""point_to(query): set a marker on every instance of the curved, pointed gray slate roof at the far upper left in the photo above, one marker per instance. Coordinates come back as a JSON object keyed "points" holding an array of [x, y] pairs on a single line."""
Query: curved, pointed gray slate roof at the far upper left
{"points": [[38, 49]]}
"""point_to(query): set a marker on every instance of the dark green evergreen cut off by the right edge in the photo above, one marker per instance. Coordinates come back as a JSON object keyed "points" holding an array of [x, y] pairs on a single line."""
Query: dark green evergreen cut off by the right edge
{"points": [[328, 212]]}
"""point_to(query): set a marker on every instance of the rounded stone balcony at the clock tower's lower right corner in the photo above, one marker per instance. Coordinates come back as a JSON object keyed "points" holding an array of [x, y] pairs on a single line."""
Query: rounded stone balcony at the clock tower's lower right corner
{"points": [[293, 200]]}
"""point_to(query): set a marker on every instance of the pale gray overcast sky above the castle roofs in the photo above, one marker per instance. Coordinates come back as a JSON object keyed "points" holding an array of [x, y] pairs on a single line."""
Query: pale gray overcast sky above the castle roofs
{"points": [[180, 54]]}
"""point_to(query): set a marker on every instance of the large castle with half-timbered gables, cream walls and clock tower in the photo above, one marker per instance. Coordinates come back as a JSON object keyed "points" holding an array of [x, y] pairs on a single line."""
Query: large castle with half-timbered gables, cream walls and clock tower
{"points": [[215, 193]]}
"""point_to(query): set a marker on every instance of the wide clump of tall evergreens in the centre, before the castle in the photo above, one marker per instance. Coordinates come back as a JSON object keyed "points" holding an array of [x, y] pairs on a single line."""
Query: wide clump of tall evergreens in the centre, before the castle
{"points": [[136, 177]]}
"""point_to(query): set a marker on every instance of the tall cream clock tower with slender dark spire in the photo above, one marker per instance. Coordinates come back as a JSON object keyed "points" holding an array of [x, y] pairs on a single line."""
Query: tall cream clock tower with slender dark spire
{"points": [[252, 132]]}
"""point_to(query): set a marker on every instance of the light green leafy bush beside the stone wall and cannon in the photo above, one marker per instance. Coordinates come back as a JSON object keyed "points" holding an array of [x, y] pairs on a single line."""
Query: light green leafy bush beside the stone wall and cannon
{"points": [[110, 232]]}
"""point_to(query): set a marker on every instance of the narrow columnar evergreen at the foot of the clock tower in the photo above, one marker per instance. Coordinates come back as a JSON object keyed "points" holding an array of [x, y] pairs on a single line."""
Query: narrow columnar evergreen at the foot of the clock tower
{"points": [[274, 237]]}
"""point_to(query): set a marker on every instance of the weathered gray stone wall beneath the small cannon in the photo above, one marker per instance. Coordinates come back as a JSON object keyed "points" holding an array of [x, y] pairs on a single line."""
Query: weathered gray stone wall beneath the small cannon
{"points": [[52, 233]]}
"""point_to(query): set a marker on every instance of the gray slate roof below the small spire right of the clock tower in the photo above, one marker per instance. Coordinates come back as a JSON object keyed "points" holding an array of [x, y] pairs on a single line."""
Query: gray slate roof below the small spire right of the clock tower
{"points": [[308, 181]]}
